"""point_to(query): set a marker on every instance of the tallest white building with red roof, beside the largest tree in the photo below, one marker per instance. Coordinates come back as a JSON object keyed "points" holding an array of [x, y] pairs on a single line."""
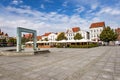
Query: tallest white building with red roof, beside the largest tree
{"points": [[95, 30]]}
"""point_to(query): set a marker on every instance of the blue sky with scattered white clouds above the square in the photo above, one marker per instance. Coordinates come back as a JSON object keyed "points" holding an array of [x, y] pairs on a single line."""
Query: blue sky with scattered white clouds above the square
{"points": [[57, 15]]}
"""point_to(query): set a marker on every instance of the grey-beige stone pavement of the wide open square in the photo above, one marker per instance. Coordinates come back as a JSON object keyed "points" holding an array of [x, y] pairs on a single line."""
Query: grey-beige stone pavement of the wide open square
{"points": [[100, 63]]}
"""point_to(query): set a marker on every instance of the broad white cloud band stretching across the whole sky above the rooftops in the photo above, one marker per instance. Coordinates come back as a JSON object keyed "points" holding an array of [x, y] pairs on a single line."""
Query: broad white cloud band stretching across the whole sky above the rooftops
{"points": [[49, 22]]}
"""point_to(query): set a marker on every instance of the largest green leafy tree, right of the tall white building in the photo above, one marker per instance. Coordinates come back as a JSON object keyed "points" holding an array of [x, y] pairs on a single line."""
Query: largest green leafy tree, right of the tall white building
{"points": [[108, 35]]}
